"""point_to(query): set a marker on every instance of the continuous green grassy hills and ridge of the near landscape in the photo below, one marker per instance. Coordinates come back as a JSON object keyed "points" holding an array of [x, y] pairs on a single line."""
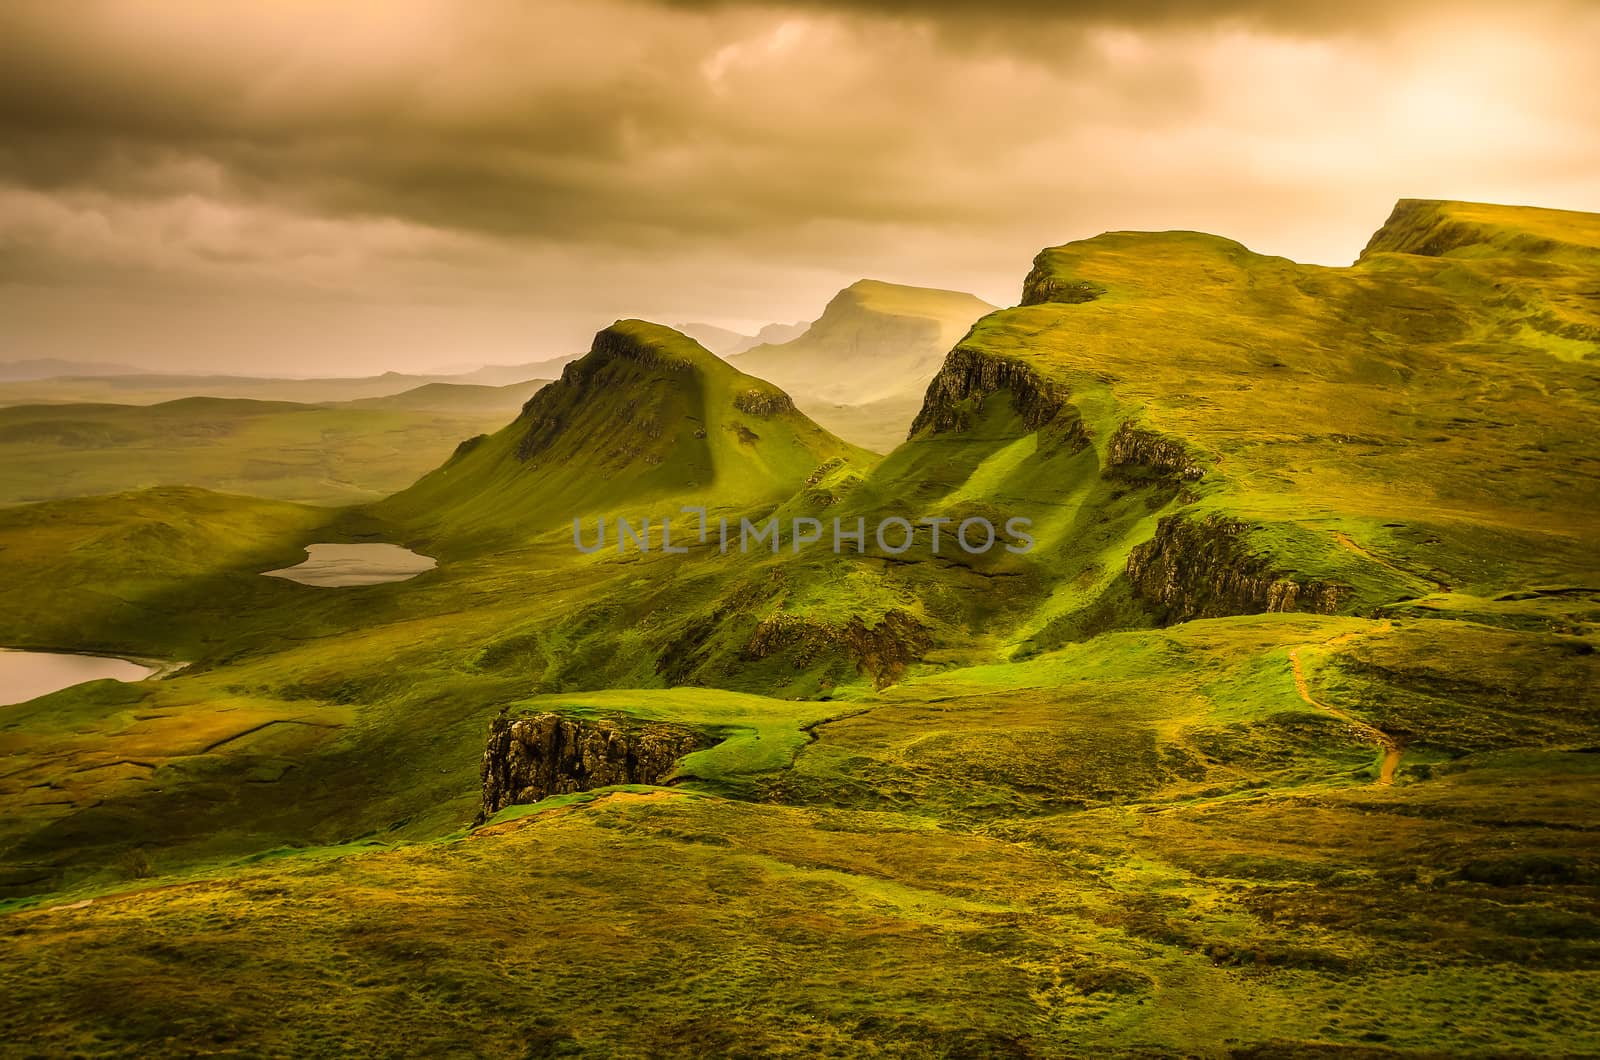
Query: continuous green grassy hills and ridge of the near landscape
{"points": [[1279, 742]]}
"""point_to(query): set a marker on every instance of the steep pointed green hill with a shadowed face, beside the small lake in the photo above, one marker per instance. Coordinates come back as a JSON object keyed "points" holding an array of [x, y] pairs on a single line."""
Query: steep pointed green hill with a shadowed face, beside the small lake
{"points": [[647, 416]]}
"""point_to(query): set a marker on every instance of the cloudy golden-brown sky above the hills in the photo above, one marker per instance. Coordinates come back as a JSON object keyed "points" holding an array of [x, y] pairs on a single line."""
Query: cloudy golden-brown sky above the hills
{"points": [[297, 188]]}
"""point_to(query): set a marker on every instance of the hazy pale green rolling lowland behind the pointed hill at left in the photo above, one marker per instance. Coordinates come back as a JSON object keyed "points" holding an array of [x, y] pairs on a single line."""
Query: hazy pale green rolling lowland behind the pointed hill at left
{"points": [[335, 454]]}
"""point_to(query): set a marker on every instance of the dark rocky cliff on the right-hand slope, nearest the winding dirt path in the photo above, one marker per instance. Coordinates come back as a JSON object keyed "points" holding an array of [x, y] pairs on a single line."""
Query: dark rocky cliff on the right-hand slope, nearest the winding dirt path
{"points": [[1204, 569]]}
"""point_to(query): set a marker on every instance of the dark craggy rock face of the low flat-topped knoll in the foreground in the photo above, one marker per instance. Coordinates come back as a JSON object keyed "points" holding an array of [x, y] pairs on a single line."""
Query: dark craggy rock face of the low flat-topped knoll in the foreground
{"points": [[534, 758]]}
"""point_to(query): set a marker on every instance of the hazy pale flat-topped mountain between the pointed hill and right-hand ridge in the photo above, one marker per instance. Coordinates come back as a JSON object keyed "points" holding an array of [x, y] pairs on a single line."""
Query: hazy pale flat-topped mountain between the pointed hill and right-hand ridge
{"points": [[863, 366]]}
